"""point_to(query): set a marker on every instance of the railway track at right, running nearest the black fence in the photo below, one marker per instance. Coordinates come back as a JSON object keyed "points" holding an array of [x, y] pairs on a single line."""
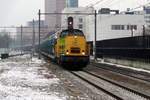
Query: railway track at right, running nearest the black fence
{"points": [[124, 71]]}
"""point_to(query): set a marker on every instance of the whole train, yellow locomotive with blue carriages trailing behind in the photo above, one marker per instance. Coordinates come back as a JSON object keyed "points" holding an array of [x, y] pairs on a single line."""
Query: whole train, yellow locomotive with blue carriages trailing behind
{"points": [[68, 47]]}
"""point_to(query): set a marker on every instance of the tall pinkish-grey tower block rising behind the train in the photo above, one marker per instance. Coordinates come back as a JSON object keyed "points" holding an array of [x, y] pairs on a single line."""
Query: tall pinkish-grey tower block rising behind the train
{"points": [[54, 6]]}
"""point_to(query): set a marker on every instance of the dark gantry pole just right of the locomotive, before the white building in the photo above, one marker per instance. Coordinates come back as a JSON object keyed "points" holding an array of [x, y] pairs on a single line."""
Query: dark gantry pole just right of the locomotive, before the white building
{"points": [[95, 38]]}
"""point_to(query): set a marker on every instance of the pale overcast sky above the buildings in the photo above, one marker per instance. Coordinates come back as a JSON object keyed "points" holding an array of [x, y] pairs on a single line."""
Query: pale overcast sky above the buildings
{"points": [[17, 12]]}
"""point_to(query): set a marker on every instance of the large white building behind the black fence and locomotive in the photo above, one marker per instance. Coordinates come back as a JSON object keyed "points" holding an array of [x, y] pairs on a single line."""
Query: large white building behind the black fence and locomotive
{"points": [[109, 26]]}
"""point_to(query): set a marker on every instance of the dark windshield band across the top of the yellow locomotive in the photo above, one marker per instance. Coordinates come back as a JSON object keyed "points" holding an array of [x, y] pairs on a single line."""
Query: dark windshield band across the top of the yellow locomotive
{"points": [[73, 32]]}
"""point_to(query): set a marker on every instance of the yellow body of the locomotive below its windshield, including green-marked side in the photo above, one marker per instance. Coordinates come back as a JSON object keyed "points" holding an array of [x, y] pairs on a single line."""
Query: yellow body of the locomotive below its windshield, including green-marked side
{"points": [[72, 46]]}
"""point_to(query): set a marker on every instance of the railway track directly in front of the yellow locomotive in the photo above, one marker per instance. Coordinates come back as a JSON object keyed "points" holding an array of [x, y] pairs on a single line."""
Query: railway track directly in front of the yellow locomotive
{"points": [[109, 87]]}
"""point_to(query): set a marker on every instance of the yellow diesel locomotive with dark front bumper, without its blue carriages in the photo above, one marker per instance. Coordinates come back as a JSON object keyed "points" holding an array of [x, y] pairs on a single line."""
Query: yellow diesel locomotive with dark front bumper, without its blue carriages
{"points": [[71, 47]]}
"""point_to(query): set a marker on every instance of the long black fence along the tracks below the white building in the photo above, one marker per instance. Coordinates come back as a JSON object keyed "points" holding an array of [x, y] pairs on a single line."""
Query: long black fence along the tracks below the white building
{"points": [[137, 48]]}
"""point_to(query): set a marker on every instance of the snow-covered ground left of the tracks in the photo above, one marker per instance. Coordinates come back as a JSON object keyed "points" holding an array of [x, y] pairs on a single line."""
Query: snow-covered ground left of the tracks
{"points": [[23, 78]]}
